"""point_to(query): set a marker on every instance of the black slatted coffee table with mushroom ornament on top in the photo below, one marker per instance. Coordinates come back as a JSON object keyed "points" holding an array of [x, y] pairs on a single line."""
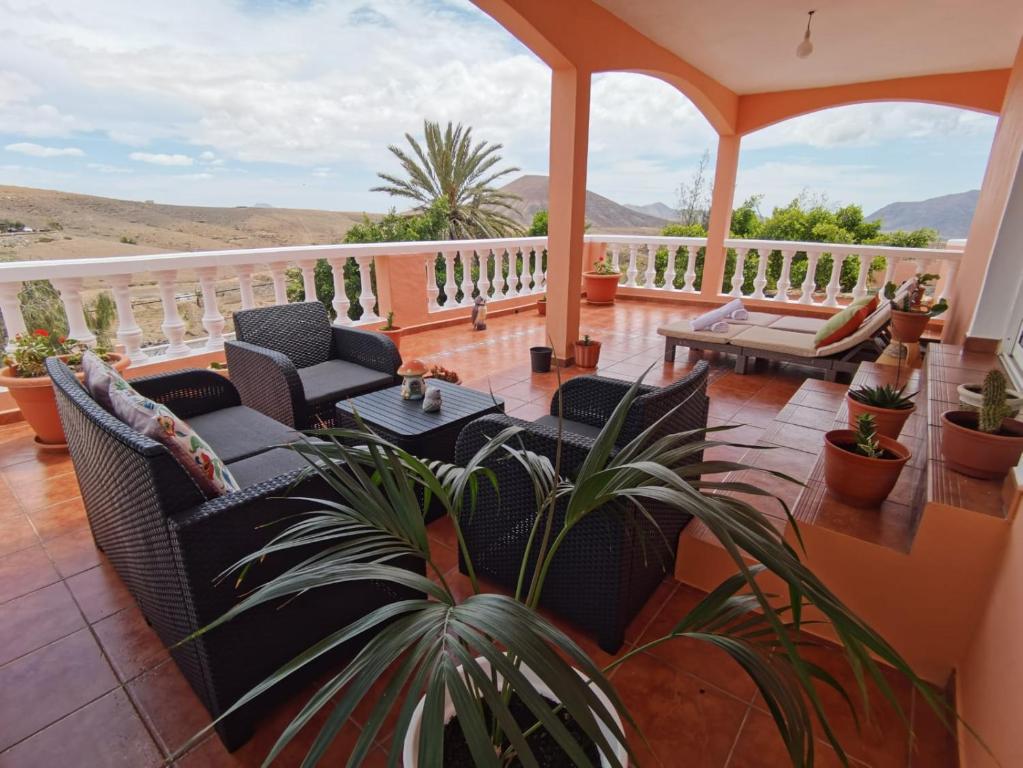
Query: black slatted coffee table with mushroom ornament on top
{"points": [[405, 423]]}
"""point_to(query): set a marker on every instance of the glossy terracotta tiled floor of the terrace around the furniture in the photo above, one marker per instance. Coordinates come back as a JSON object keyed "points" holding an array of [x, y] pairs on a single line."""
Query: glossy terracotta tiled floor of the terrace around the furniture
{"points": [[85, 683]]}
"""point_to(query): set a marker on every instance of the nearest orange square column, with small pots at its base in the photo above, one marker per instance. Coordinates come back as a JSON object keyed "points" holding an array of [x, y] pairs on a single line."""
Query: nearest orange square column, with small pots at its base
{"points": [[569, 147]]}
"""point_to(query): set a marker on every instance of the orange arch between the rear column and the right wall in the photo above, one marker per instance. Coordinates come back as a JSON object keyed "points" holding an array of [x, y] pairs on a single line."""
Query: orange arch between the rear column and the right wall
{"points": [[981, 92]]}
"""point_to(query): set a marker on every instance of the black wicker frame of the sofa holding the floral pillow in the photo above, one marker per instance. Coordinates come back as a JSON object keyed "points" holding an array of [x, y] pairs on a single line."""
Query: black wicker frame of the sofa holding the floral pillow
{"points": [[169, 545]]}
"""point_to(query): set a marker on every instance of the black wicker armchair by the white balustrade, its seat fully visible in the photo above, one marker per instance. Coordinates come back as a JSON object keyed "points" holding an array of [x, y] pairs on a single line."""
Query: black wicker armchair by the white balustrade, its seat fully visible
{"points": [[292, 365]]}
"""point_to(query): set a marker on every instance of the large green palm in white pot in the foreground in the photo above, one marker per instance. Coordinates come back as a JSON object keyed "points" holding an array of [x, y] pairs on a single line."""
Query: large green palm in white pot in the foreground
{"points": [[486, 676]]}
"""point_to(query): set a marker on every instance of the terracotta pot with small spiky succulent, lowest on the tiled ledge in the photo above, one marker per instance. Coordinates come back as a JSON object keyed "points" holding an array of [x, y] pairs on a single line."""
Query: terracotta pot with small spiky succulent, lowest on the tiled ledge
{"points": [[858, 480]]}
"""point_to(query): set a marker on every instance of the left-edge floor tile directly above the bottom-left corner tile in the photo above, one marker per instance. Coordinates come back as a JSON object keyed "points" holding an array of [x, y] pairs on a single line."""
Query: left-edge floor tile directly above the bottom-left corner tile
{"points": [[42, 688]]}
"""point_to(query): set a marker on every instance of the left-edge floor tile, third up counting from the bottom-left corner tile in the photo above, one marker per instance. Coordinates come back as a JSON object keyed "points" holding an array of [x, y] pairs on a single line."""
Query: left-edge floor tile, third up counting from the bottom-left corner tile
{"points": [[36, 620]]}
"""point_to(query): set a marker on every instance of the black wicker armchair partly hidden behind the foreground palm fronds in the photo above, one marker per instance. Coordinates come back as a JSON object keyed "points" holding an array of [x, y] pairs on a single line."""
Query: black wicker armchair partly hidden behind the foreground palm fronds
{"points": [[612, 562]]}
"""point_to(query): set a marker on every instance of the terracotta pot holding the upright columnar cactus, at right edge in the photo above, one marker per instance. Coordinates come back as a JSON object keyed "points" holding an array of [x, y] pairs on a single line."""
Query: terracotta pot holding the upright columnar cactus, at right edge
{"points": [[970, 451]]}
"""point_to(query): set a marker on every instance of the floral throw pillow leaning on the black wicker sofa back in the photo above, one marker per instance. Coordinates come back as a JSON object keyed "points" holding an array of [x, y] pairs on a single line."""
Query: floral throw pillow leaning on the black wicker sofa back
{"points": [[158, 422]]}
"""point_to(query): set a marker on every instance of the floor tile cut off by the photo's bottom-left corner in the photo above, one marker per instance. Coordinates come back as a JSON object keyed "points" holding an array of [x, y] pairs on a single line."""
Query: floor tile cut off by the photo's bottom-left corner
{"points": [[107, 733]]}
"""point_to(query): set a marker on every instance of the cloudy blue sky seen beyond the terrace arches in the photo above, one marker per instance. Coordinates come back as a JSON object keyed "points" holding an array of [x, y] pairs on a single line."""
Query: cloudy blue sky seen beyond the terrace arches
{"points": [[293, 103]]}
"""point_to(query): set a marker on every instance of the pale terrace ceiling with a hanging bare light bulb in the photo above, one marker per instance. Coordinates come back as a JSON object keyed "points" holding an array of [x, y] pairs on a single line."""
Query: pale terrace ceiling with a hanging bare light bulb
{"points": [[749, 46]]}
